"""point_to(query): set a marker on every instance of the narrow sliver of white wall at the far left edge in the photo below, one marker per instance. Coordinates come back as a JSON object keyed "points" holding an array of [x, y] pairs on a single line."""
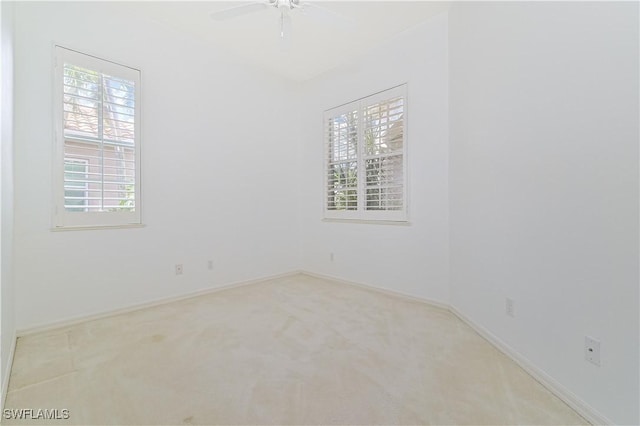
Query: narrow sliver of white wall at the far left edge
{"points": [[7, 306]]}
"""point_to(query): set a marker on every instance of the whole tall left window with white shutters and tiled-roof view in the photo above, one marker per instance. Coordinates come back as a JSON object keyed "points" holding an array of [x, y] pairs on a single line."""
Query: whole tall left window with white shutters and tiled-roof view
{"points": [[97, 155]]}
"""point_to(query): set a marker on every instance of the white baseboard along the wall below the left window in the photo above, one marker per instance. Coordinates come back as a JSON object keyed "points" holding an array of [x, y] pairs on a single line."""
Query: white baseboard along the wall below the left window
{"points": [[41, 328]]}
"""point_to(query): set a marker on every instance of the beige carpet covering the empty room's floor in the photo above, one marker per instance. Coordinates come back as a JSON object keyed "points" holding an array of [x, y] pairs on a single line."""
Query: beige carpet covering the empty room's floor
{"points": [[296, 350]]}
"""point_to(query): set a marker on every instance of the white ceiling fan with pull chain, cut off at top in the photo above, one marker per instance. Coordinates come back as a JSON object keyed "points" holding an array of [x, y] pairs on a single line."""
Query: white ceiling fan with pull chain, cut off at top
{"points": [[284, 7]]}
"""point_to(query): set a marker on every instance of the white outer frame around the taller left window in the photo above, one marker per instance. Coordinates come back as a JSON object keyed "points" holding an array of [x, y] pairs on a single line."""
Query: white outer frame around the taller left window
{"points": [[63, 219]]}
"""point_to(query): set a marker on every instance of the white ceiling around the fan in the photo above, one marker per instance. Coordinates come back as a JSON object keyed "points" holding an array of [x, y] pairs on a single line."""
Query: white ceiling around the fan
{"points": [[317, 45]]}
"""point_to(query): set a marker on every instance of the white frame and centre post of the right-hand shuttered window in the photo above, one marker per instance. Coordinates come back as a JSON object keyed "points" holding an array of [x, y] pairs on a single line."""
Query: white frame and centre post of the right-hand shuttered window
{"points": [[361, 214]]}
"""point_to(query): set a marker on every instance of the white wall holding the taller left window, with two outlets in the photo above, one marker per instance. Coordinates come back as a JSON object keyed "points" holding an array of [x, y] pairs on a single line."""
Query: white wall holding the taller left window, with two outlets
{"points": [[216, 168]]}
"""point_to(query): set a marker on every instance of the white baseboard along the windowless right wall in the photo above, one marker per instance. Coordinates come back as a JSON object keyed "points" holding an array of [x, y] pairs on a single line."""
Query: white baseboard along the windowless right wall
{"points": [[585, 410]]}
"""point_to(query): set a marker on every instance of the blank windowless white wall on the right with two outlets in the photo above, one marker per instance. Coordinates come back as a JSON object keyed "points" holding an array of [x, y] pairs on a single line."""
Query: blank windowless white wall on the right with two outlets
{"points": [[544, 187]]}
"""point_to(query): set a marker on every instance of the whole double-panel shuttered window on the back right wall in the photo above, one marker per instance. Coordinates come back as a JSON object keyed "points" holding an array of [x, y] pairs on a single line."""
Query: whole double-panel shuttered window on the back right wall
{"points": [[365, 158]]}
